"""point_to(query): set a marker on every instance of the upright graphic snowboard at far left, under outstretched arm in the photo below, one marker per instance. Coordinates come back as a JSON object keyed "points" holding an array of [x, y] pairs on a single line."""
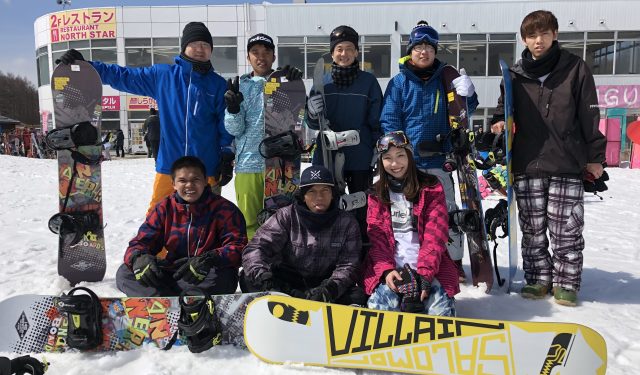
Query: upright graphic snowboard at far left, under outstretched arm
{"points": [[77, 98]]}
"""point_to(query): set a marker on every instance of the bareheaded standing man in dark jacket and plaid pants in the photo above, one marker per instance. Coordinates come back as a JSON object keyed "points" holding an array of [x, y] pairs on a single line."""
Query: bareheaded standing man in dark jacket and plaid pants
{"points": [[557, 139]]}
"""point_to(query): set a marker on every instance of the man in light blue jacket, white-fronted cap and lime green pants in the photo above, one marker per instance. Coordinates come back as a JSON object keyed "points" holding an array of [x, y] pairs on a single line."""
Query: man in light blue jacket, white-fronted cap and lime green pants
{"points": [[244, 119]]}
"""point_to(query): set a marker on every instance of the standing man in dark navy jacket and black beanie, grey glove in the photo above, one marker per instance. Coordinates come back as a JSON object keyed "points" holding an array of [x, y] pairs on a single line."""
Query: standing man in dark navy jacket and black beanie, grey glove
{"points": [[353, 102]]}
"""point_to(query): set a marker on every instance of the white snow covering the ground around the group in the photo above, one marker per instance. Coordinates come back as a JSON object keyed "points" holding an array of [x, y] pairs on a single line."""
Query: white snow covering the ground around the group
{"points": [[609, 299]]}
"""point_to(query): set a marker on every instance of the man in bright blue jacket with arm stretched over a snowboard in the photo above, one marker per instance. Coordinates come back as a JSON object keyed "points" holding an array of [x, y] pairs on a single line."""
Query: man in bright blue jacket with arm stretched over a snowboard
{"points": [[190, 96]]}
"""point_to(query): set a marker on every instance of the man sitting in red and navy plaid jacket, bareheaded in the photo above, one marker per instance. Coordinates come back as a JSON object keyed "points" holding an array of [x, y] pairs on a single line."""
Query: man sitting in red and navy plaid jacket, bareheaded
{"points": [[202, 232]]}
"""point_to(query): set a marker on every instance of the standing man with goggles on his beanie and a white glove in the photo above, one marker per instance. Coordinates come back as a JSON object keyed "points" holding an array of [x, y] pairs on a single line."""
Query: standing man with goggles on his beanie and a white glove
{"points": [[415, 102]]}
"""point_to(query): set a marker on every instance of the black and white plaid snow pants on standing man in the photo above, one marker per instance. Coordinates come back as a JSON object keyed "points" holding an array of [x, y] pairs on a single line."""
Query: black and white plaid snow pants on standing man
{"points": [[555, 204]]}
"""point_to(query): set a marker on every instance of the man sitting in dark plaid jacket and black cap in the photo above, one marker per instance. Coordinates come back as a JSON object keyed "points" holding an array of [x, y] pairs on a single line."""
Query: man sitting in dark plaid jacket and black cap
{"points": [[310, 249]]}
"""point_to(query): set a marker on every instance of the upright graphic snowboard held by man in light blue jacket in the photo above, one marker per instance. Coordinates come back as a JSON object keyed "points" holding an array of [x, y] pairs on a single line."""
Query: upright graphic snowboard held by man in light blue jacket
{"points": [[284, 103]]}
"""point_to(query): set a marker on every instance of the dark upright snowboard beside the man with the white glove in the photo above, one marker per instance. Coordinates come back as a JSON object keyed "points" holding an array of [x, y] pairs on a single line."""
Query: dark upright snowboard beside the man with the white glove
{"points": [[471, 199]]}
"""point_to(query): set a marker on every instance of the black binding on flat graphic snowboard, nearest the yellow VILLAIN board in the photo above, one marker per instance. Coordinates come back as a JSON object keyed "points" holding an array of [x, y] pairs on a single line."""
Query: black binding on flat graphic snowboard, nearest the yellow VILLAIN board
{"points": [[198, 323]]}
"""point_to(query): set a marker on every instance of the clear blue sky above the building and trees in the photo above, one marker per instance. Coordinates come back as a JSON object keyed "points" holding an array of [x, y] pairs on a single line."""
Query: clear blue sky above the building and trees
{"points": [[17, 43]]}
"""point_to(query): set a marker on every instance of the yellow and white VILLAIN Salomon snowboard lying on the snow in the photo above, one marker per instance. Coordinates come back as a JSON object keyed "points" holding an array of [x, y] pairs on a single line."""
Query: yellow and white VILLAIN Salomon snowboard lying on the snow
{"points": [[281, 329]]}
